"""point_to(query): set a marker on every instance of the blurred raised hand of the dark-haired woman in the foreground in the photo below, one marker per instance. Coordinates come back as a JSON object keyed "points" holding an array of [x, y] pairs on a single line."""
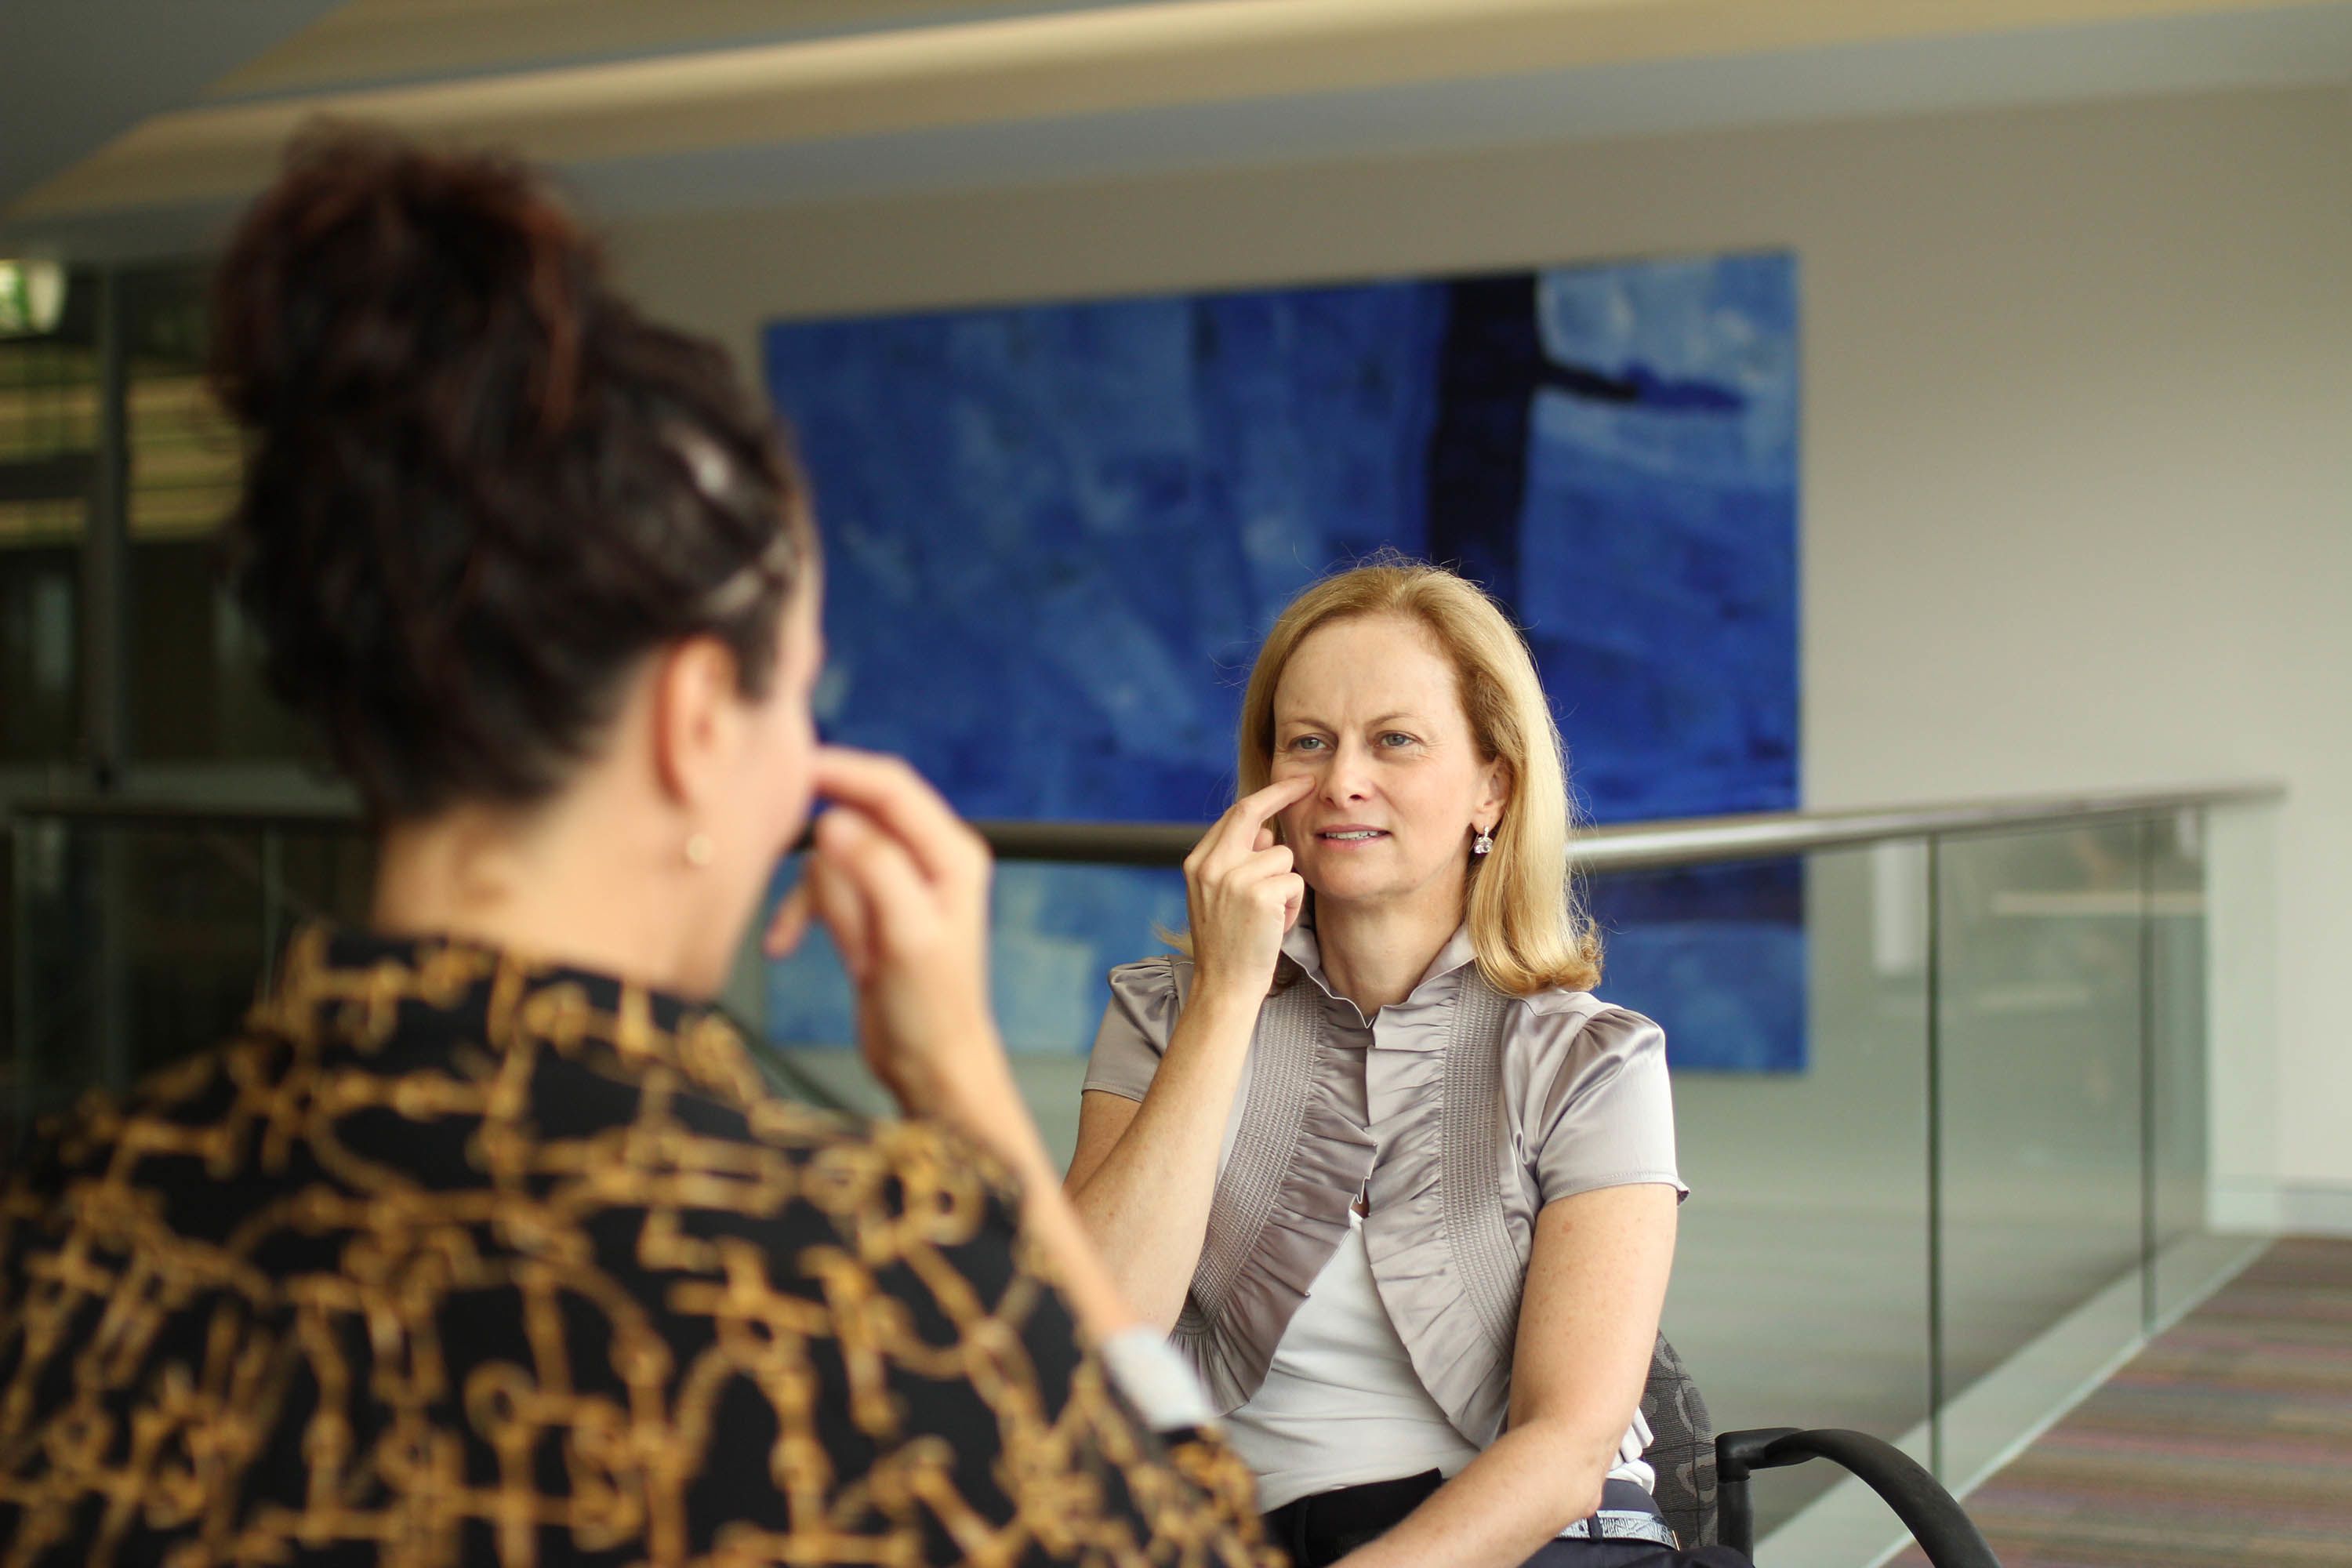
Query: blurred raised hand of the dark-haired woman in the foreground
{"points": [[902, 883]]}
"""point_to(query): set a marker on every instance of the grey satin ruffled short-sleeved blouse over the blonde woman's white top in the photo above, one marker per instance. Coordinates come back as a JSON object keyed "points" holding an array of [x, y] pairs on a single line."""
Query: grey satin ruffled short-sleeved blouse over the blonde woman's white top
{"points": [[1464, 1111]]}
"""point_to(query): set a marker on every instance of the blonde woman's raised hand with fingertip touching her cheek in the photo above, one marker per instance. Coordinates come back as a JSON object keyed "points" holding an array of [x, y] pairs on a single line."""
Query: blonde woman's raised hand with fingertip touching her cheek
{"points": [[1243, 892]]}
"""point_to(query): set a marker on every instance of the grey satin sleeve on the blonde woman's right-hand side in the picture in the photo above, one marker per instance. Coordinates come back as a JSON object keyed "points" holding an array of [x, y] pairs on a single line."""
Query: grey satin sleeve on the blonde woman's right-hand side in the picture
{"points": [[1603, 1106]]}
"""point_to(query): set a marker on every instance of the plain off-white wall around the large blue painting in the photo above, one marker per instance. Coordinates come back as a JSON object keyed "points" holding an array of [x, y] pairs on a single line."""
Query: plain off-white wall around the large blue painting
{"points": [[2078, 453]]}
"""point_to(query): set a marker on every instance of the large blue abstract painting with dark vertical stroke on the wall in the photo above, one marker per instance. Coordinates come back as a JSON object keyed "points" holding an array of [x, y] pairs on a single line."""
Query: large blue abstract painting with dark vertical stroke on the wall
{"points": [[1057, 532]]}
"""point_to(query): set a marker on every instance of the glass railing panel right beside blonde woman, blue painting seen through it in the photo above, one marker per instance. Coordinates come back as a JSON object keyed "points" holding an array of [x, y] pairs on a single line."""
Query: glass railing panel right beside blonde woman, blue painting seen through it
{"points": [[1793, 998]]}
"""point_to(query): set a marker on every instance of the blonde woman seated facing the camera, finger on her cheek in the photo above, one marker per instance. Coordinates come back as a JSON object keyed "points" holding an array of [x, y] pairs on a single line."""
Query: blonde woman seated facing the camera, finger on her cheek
{"points": [[1394, 1179]]}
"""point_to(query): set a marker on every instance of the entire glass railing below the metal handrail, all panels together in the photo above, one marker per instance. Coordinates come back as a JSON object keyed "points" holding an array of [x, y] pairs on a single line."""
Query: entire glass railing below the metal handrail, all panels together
{"points": [[2076, 979]]}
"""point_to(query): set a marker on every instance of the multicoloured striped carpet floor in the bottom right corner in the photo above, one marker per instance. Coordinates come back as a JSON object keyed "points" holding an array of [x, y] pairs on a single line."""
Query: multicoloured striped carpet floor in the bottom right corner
{"points": [[2229, 1442]]}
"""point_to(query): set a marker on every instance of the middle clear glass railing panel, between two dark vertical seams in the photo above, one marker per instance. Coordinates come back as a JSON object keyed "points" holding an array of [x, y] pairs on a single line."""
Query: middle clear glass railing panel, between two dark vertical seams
{"points": [[2040, 1005]]}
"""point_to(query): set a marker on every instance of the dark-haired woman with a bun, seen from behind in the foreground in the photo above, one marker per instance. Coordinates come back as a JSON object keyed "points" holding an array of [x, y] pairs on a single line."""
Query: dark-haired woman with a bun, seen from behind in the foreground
{"points": [[483, 1242]]}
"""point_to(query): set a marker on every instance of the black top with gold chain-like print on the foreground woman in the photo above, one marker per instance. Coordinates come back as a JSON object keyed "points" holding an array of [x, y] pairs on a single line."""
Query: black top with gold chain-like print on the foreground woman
{"points": [[450, 1259]]}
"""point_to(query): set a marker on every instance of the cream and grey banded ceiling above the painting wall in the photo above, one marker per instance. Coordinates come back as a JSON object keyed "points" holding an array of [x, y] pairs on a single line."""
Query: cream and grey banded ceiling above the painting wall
{"points": [[704, 105]]}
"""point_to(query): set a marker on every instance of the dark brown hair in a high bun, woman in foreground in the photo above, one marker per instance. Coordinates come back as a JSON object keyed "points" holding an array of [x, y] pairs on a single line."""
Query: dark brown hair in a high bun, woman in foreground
{"points": [[481, 488]]}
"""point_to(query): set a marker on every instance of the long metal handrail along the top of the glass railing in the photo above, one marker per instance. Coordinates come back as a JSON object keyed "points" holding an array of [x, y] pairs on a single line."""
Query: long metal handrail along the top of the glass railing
{"points": [[1699, 840]]}
